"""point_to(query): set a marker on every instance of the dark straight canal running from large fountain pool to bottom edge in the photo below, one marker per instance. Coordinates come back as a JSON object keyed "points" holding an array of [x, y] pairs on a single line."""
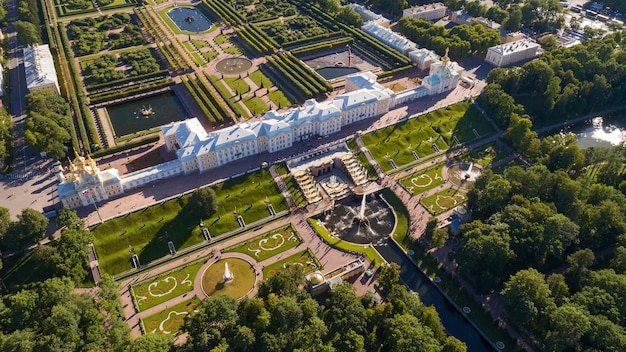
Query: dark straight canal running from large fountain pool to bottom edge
{"points": [[453, 321]]}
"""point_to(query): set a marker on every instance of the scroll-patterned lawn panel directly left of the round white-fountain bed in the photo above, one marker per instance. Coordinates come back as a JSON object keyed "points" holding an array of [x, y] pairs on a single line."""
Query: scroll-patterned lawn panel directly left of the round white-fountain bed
{"points": [[164, 287]]}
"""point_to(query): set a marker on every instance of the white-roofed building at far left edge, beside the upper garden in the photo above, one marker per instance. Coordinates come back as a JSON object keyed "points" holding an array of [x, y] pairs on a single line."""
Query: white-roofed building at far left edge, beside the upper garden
{"points": [[39, 69]]}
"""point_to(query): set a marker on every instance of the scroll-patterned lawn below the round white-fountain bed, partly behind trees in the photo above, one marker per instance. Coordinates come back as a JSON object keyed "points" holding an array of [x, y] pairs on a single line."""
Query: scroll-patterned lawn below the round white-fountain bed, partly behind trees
{"points": [[170, 320]]}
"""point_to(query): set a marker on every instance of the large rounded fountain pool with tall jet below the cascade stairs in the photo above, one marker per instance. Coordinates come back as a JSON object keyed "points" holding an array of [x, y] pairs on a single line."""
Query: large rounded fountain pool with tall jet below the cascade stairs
{"points": [[364, 222]]}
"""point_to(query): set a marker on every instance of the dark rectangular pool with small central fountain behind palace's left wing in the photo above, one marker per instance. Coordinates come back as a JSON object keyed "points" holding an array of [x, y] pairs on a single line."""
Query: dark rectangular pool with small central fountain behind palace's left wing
{"points": [[145, 113]]}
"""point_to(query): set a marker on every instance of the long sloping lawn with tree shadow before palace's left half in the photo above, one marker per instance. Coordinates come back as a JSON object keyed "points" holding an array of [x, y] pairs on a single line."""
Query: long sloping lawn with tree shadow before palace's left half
{"points": [[146, 230]]}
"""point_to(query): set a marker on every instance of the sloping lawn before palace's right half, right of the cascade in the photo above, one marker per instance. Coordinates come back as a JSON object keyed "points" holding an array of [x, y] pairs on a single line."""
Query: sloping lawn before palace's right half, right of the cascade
{"points": [[420, 133]]}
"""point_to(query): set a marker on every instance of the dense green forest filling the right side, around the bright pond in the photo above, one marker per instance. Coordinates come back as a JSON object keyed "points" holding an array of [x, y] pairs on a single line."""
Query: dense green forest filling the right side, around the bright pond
{"points": [[551, 238]]}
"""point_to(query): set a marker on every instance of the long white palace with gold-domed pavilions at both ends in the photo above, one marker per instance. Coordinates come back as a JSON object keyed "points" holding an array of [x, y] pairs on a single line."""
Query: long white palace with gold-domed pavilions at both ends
{"points": [[199, 151]]}
